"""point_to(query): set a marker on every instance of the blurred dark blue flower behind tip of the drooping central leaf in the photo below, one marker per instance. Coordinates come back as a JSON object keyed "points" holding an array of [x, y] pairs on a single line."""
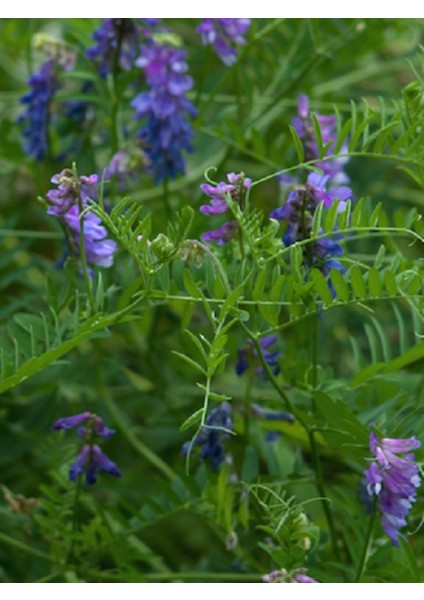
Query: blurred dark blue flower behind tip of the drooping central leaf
{"points": [[213, 436]]}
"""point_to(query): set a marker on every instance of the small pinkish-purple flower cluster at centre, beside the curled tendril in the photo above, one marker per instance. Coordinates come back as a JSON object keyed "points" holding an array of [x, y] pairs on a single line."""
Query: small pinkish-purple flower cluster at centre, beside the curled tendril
{"points": [[219, 195]]}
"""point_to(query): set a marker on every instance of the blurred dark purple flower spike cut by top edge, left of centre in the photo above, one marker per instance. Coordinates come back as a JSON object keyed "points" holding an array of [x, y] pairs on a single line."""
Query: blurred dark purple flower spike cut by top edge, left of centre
{"points": [[118, 42]]}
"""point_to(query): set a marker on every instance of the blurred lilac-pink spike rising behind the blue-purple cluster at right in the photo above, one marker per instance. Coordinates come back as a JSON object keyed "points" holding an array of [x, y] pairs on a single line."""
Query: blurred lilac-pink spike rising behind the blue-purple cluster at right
{"points": [[328, 124]]}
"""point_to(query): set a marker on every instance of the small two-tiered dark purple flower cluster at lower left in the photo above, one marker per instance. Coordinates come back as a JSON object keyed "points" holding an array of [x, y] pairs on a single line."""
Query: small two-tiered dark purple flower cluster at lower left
{"points": [[91, 459]]}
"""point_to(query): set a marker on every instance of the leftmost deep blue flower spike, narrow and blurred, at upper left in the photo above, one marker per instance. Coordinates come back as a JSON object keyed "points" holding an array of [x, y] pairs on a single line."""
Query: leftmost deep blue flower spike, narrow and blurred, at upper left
{"points": [[35, 118]]}
